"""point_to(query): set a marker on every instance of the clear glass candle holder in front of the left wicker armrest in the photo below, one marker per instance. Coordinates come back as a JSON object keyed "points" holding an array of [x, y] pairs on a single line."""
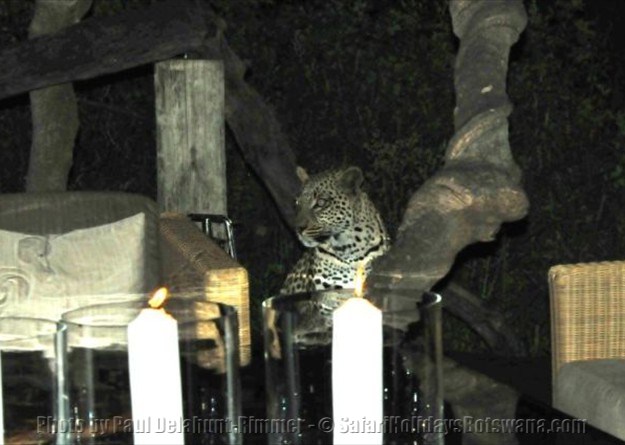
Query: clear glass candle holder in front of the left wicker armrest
{"points": [[98, 373]]}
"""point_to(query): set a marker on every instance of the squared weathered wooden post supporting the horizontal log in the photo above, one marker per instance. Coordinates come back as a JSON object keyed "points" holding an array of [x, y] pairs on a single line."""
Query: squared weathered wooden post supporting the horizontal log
{"points": [[191, 161]]}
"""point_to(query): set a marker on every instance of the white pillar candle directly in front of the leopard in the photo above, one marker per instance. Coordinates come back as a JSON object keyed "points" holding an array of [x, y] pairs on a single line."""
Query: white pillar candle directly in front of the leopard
{"points": [[357, 388]]}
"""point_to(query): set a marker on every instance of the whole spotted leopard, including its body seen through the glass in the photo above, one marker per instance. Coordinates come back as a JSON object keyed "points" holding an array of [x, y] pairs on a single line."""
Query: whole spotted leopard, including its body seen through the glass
{"points": [[343, 234]]}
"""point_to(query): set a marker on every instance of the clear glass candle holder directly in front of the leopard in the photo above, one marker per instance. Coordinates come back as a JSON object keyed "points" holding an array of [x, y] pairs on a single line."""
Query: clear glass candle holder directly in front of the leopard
{"points": [[298, 360]]}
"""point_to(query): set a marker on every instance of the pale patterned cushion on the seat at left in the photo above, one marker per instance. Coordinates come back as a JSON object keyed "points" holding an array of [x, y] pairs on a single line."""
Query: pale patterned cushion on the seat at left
{"points": [[46, 275]]}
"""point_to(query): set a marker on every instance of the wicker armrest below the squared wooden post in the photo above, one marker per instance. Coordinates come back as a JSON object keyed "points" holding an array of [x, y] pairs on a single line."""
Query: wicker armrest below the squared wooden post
{"points": [[193, 263]]}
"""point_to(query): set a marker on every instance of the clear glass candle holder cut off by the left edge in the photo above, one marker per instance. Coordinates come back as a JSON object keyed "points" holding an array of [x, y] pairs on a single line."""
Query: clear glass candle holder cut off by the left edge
{"points": [[31, 383]]}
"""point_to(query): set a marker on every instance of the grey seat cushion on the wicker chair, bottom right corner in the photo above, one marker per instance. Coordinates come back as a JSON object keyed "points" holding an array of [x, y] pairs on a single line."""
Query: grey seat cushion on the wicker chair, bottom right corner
{"points": [[593, 390]]}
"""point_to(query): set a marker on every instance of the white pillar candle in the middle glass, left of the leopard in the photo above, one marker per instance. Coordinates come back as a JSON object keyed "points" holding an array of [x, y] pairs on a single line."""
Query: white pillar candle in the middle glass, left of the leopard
{"points": [[155, 381]]}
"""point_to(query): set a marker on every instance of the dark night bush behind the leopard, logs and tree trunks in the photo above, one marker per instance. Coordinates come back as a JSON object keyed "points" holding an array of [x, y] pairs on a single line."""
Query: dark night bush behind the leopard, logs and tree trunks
{"points": [[370, 83]]}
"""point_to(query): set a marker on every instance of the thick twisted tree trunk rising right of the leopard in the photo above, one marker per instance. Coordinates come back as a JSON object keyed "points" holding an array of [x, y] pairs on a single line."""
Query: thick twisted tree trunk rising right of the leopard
{"points": [[479, 187]]}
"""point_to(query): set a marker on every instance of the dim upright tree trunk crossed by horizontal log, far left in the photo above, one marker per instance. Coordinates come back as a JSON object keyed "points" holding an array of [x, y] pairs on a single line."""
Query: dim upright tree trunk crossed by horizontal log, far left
{"points": [[54, 110]]}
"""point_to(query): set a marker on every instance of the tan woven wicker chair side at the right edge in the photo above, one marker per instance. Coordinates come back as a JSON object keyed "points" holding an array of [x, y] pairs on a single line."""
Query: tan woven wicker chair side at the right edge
{"points": [[587, 312]]}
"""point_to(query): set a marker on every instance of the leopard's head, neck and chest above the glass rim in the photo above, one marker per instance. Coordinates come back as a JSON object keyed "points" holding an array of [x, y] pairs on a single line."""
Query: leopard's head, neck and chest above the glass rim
{"points": [[339, 226]]}
